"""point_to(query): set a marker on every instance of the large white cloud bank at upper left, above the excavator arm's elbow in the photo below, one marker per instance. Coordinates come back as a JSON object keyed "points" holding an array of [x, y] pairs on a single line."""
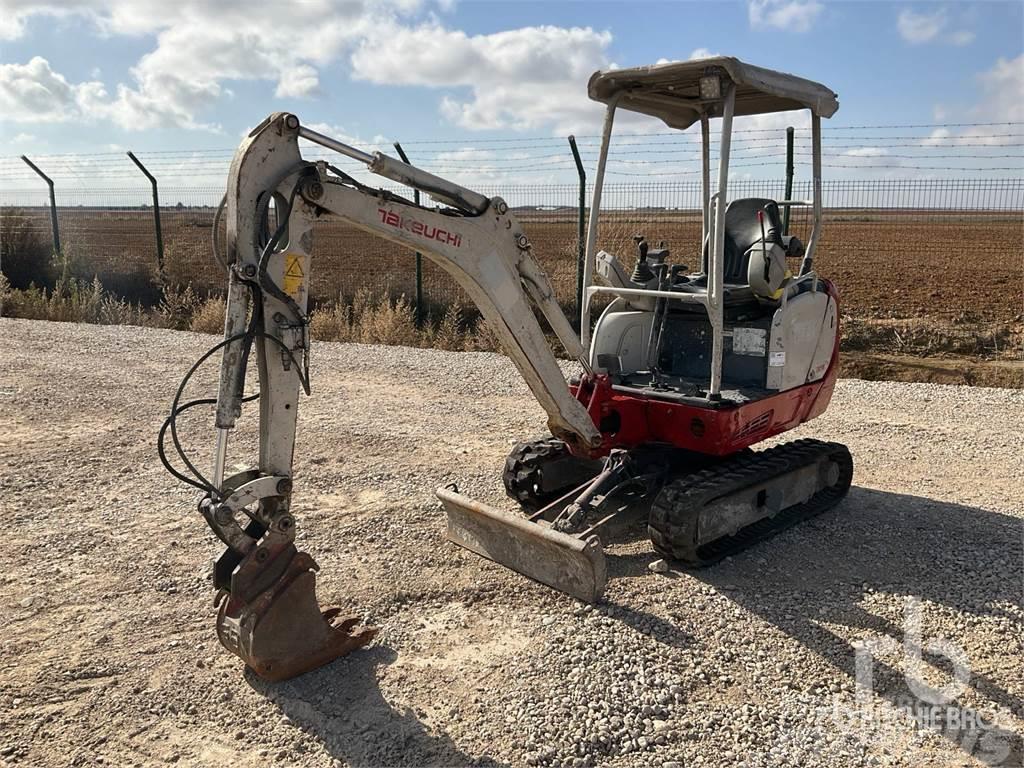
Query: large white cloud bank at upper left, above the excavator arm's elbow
{"points": [[201, 46]]}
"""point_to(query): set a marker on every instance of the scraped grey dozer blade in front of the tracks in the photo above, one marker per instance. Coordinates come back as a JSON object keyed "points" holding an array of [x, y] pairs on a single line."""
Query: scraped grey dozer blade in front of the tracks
{"points": [[568, 564]]}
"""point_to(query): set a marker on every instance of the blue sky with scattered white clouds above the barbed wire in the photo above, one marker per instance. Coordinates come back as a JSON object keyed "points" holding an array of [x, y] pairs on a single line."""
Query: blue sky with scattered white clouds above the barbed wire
{"points": [[96, 76]]}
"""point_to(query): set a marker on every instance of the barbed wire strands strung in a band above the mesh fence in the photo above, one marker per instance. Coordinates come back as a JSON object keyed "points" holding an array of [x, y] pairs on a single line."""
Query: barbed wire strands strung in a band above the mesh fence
{"points": [[666, 152]]}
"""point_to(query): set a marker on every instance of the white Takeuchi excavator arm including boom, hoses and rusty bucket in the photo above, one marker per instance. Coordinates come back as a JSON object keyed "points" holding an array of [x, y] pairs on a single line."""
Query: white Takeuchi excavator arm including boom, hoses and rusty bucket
{"points": [[269, 614]]}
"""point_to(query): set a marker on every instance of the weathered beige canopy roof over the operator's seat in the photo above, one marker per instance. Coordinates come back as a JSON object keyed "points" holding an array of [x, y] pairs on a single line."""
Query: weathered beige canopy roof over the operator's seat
{"points": [[672, 92]]}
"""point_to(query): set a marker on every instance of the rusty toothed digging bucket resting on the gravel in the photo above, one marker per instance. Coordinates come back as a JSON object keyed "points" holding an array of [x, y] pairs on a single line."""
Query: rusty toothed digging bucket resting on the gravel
{"points": [[280, 631]]}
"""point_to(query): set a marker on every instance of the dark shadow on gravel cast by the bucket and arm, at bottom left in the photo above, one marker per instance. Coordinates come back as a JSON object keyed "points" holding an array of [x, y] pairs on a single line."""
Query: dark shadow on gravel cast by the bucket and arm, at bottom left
{"points": [[345, 708]]}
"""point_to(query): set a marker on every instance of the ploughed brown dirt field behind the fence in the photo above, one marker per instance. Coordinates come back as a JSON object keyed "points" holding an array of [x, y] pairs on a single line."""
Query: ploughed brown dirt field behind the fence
{"points": [[949, 267]]}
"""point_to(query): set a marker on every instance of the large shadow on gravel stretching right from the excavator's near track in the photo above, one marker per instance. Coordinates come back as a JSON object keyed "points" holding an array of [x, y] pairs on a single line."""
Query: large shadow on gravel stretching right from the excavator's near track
{"points": [[965, 559]]}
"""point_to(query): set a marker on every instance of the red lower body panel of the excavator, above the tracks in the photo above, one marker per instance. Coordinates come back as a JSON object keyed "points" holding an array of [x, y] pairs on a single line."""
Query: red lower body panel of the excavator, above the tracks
{"points": [[714, 432]]}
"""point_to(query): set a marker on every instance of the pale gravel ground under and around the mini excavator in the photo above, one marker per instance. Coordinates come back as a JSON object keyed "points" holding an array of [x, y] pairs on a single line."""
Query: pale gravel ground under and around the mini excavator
{"points": [[109, 652]]}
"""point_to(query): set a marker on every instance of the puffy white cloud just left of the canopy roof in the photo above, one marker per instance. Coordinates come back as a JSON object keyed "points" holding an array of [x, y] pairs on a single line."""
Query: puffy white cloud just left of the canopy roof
{"points": [[522, 79]]}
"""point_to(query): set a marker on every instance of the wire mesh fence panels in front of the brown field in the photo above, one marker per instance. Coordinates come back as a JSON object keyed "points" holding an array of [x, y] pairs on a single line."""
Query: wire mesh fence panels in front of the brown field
{"points": [[940, 248]]}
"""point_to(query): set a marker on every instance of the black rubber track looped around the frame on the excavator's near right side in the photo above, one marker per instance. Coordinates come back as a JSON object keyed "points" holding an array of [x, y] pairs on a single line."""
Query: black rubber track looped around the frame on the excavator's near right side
{"points": [[676, 511]]}
